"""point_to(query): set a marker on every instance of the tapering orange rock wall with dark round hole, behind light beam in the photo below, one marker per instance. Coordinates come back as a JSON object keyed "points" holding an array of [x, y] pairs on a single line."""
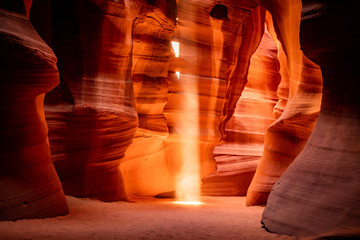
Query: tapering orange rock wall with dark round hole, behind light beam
{"points": [[209, 34]]}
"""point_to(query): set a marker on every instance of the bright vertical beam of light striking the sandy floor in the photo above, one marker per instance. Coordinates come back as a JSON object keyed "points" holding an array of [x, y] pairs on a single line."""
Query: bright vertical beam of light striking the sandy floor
{"points": [[188, 180]]}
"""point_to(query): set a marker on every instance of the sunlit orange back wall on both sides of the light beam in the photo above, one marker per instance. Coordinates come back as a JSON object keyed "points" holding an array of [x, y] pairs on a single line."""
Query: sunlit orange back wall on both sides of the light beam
{"points": [[200, 71]]}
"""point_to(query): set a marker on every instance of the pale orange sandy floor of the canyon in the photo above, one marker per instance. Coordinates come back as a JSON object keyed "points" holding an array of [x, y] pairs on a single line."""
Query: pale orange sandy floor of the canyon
{"points": [[218, 218]]}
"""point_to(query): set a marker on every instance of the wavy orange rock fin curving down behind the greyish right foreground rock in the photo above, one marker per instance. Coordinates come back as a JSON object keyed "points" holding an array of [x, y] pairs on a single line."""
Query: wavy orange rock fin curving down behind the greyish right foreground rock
{"points": [[287, 136]]}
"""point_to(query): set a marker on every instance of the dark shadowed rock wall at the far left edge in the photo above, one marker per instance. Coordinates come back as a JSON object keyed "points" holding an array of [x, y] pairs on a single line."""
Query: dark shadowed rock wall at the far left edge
{"points": [[29, 186]]}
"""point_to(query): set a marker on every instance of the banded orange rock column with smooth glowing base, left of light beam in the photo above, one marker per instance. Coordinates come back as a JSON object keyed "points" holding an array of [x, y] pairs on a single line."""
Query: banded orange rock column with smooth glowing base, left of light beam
{"points": [[148, 172]]}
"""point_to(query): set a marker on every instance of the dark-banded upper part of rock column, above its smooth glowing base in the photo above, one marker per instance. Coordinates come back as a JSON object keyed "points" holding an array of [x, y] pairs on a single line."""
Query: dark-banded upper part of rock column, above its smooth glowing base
{"points": [[152, 33]]}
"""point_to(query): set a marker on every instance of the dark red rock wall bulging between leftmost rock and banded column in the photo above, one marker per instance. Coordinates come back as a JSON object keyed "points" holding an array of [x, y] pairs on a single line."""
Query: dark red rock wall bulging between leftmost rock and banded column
{"points": [[91, 114]]}
